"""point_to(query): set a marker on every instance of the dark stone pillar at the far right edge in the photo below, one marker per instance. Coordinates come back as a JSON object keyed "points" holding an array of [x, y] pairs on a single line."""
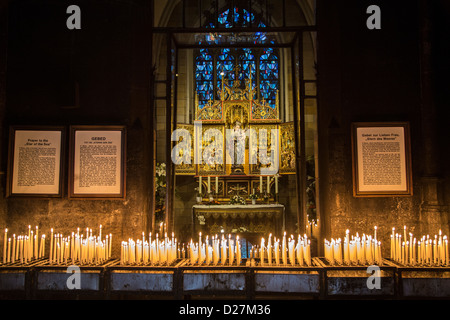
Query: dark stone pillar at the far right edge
{"points": [[433, 212]]}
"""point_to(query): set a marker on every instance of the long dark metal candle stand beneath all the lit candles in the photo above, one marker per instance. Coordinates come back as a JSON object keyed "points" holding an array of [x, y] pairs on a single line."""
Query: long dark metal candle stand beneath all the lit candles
{"points": [[251, 279]]}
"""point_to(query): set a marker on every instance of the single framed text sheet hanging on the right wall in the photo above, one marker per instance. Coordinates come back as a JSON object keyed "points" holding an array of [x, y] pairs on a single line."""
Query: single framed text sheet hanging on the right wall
{"points": [[381, 159]]}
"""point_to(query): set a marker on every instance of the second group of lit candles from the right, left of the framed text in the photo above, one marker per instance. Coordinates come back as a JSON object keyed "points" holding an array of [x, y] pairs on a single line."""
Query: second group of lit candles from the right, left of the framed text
{"points": [[354, 250]]}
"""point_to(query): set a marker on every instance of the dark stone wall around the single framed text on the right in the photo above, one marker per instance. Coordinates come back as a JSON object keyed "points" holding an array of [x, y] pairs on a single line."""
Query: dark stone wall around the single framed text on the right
{"points": [[369, 75]]}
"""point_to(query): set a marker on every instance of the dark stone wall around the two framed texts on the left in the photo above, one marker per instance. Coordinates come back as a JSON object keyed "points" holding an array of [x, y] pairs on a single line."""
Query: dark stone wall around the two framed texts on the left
{"points": [[108, 60]]}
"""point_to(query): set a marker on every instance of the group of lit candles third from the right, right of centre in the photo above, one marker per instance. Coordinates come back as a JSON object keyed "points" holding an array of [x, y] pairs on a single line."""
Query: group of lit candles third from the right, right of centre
{"points": [[284, 252]]}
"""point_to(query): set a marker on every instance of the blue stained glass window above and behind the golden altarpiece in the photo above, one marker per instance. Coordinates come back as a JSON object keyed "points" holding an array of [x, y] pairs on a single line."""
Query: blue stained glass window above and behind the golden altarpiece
{"points": [[235, 63]]}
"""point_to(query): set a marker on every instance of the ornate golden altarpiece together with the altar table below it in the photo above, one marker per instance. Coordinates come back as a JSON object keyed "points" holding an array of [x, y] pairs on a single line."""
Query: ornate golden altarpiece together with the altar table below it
{"points": [[227, 185]]}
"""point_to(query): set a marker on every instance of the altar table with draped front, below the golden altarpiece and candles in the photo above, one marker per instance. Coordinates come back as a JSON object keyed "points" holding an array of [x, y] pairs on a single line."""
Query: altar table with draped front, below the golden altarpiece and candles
{"points": [[258, 219]]}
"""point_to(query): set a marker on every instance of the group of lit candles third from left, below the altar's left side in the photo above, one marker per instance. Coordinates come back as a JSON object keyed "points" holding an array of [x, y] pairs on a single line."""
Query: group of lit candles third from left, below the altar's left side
{"points": [[147, 251]]}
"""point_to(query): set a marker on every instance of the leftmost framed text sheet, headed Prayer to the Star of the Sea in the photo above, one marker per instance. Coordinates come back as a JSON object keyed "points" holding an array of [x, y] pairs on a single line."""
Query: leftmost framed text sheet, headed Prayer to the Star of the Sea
{"points": [[35, 162]]}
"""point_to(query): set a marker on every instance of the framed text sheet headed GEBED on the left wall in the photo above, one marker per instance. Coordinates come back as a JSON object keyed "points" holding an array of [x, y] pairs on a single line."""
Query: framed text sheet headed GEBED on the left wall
{"points": [[97, 162]]}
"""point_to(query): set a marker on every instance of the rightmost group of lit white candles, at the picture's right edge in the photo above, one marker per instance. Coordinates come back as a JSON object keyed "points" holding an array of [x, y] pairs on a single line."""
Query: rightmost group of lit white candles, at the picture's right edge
{"points": [[426, 251]]}
